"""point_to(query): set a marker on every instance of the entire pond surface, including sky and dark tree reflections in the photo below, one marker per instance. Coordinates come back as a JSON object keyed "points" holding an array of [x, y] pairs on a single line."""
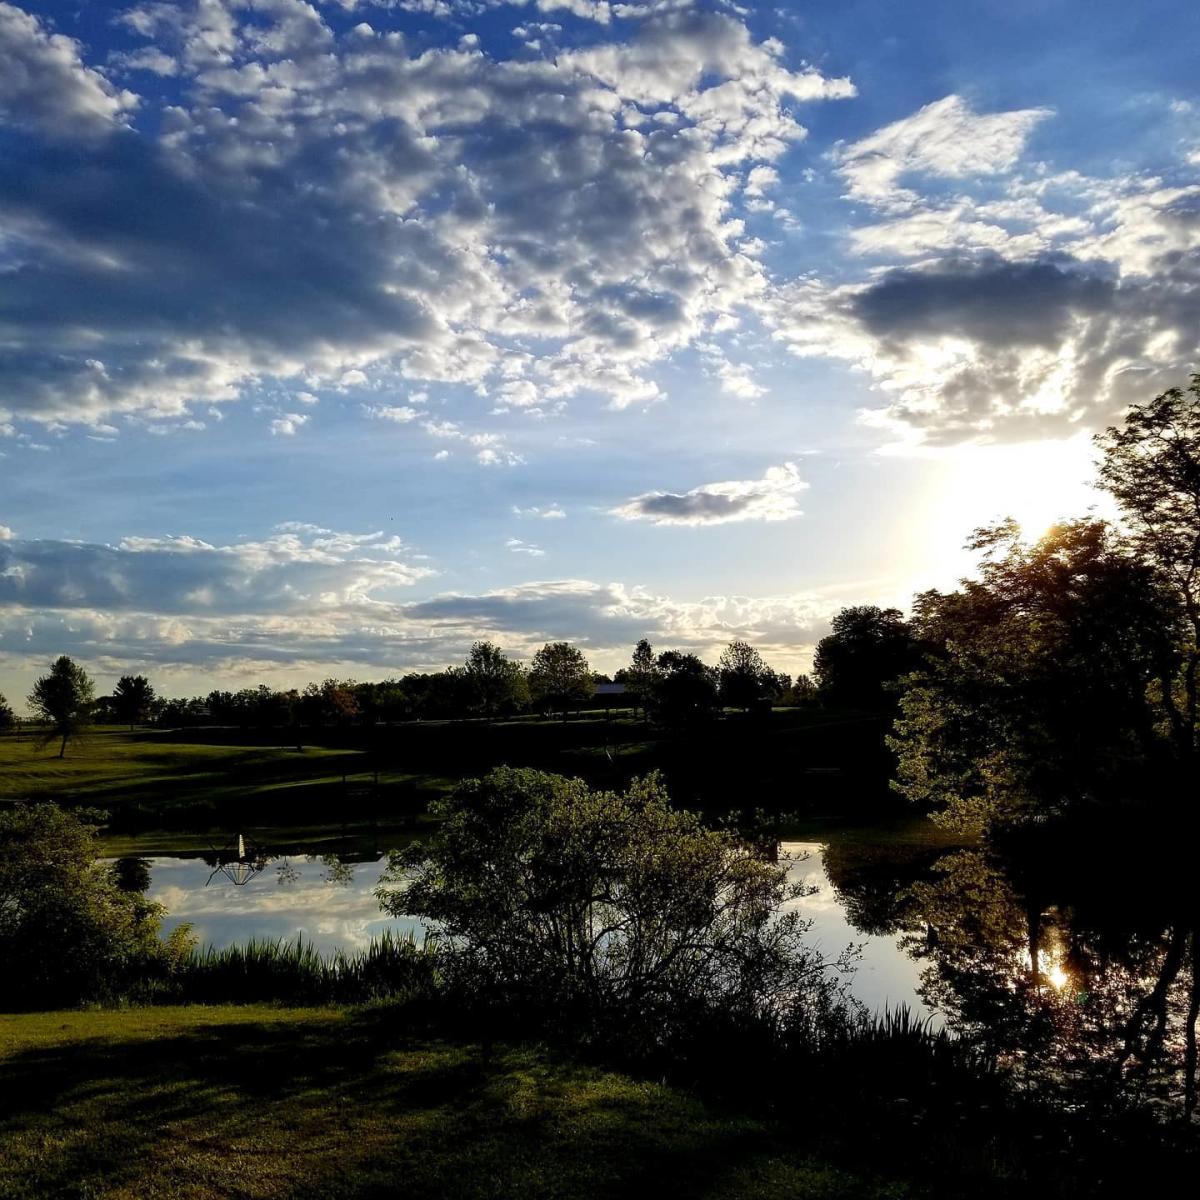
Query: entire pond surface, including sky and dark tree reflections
{"points": [[1064, 961]]}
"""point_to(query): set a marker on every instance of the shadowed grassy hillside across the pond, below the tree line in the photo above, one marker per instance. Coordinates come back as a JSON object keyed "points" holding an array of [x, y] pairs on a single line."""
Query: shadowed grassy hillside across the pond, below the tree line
{"points": [[795, 761]]}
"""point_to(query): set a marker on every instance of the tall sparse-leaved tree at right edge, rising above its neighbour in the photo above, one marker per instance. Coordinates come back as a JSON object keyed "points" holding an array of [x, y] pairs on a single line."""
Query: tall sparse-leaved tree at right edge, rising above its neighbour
{"points": [[1153, 467]]}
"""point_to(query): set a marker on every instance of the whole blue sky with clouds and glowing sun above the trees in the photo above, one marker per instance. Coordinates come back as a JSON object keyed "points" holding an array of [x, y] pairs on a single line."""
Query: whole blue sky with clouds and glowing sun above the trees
{"points": [[334, 337]]}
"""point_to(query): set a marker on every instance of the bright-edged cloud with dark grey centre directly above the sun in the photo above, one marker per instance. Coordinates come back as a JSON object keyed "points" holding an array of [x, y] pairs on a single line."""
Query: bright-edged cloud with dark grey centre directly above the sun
{"points": [[1027, 303]]}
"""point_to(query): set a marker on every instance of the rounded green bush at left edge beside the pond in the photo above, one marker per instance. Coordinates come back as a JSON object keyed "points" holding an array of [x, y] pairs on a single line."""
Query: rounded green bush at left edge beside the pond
{"points": [[69, 932]]}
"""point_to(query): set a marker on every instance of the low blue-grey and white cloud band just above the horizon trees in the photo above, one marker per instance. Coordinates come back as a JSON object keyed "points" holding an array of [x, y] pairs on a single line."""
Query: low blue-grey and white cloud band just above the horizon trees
{"points": [[308, 599]]}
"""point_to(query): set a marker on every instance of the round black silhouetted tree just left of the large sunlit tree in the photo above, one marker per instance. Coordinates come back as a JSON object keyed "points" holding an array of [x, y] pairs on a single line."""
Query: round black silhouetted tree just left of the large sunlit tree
{"points": [[869, 650]]}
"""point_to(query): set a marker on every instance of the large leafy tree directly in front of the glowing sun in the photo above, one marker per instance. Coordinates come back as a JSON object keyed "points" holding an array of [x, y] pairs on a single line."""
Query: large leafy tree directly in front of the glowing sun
{"points": [[1036, 695]]}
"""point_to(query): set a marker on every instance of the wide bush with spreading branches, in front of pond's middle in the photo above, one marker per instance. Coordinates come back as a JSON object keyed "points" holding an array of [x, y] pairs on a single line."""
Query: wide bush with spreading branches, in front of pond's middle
{"points": [[609, 917]]}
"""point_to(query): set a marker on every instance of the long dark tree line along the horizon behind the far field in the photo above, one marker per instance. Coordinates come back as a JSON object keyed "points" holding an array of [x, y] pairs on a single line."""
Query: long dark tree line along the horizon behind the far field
{"points": [[674, 688]]}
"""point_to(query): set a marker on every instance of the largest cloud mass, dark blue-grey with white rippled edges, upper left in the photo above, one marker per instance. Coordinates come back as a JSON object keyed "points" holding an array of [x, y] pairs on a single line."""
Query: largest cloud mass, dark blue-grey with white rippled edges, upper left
{"points": [[351, 209]]}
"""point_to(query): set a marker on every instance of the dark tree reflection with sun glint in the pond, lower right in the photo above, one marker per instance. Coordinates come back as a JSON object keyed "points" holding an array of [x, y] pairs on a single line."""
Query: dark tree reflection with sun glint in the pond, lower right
{"points": [[1072, 971]]}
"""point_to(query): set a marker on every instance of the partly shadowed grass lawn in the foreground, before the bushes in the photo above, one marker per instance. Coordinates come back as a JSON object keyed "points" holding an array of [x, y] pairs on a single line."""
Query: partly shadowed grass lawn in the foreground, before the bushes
{"points": [[263, 1102]]}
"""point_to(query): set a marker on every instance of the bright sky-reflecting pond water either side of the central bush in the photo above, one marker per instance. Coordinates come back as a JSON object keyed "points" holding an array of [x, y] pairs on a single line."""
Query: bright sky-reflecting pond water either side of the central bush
{"points": [[331, 903]]}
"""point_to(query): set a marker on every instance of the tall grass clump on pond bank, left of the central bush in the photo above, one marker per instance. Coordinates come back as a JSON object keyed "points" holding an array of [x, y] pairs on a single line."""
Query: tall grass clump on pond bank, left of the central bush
{"points": [[262, 970]]}
